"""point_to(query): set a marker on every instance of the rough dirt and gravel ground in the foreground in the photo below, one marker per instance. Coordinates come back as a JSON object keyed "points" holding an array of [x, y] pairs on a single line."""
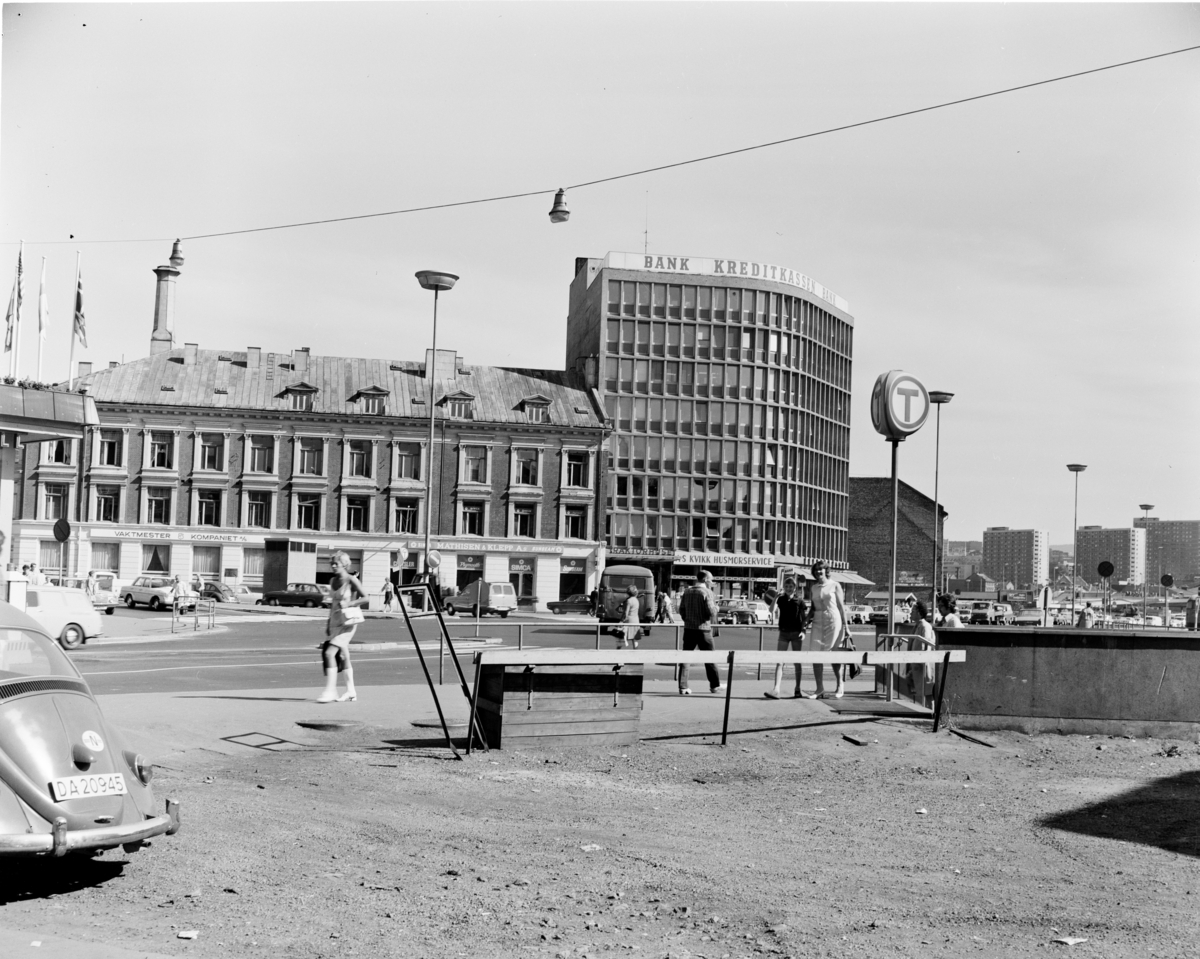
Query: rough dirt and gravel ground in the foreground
{"points": [[790, 842]]}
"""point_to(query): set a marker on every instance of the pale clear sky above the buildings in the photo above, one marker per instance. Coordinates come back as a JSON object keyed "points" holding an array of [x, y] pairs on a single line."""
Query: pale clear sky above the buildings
{"points": [[1034, 254]]}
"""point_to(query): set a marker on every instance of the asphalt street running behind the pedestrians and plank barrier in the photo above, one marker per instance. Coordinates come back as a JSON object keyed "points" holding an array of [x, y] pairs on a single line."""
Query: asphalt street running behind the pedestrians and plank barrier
{"points": [[280, 651]]}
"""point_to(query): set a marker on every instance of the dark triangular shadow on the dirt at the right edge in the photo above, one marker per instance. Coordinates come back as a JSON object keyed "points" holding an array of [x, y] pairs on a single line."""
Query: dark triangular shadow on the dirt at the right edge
{"points": [[1165, 814]]}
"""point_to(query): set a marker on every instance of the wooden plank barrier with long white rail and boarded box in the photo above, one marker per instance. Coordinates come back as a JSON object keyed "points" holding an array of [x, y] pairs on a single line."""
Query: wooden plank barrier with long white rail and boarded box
{"points": [[566, 697]]}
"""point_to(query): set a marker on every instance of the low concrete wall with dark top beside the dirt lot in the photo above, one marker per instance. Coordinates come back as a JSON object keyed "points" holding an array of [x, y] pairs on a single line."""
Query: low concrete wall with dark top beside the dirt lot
{"points": [[1115, 682]]}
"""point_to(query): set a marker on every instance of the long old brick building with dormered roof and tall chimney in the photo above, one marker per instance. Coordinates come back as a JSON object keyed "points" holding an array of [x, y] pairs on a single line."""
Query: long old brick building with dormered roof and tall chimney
{"points": [[207, 460]]}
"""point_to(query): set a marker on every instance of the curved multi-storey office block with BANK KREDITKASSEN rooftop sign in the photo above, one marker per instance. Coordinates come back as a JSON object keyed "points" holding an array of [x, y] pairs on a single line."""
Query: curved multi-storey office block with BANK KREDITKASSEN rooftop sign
{"points": [[727, 386]]}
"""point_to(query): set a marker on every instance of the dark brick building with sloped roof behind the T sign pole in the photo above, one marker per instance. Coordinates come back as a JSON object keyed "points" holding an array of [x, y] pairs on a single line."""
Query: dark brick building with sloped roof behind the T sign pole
{"points": [[869, 534]]}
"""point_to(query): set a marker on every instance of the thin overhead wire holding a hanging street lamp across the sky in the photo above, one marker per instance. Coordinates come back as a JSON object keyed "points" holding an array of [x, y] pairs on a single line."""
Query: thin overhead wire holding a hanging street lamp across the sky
{"points": [[652, 170]]}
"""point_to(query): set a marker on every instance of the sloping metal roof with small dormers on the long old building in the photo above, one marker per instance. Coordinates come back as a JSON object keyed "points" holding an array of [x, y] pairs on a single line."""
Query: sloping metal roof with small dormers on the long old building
{"points": [[223, 380]]}
